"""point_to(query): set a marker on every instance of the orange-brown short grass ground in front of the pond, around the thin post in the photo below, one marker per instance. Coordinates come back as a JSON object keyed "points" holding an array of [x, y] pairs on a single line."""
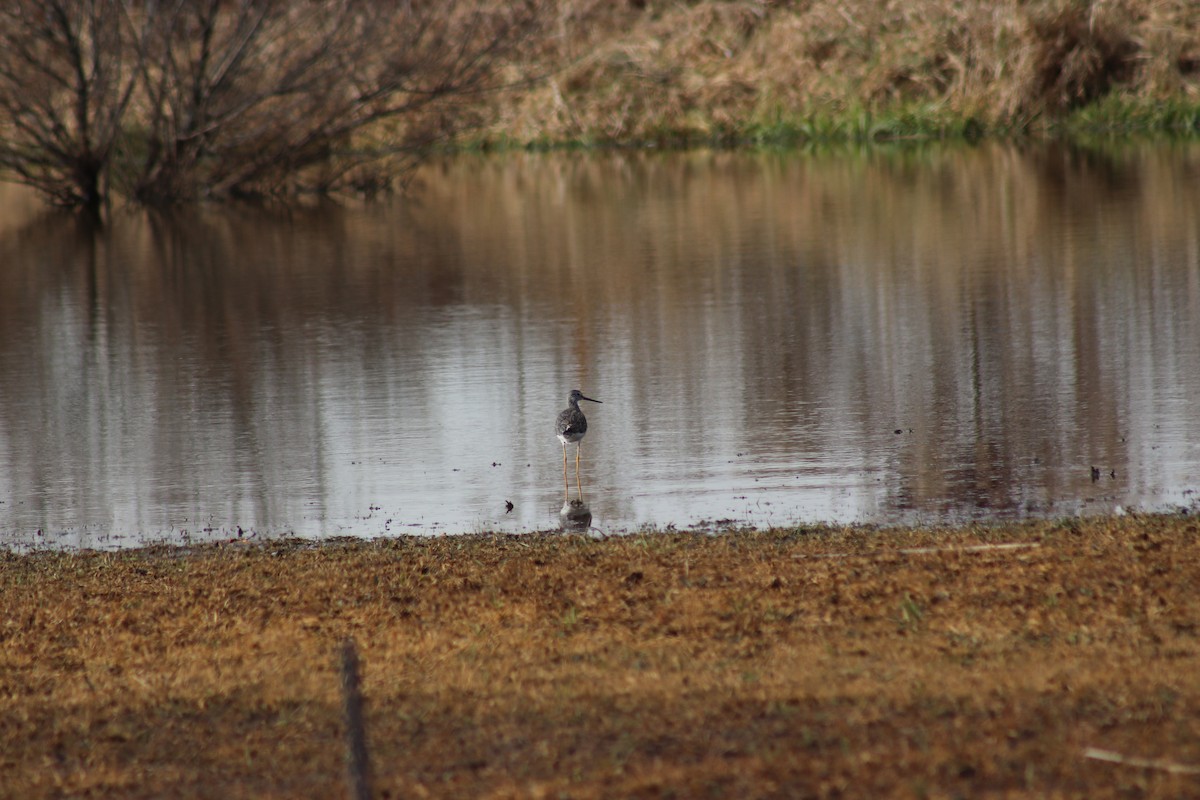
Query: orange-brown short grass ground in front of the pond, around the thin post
{"points": [[831, 663]]}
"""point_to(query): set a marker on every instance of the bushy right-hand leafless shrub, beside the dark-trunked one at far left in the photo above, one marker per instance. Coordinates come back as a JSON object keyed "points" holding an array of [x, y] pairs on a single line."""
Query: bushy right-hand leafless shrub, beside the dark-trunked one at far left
{"points": [[262, 97]]}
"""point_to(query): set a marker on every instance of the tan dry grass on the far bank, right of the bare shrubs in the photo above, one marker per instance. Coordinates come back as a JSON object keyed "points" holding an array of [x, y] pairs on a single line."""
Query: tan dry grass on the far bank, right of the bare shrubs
{"points": [[699, 70]]}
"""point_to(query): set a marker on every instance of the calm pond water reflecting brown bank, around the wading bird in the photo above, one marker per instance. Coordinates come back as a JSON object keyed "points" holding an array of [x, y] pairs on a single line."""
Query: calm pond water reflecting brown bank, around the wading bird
{"points": [[929, 335]]}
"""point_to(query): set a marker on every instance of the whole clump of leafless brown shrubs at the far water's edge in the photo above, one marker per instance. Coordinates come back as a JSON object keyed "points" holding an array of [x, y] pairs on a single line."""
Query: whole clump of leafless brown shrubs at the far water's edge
{"points": [[196, 99]]}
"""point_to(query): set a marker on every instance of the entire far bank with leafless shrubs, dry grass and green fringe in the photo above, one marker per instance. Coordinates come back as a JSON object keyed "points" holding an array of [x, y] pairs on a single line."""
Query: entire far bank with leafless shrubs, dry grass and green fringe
{"points": [[283, 100]]}
